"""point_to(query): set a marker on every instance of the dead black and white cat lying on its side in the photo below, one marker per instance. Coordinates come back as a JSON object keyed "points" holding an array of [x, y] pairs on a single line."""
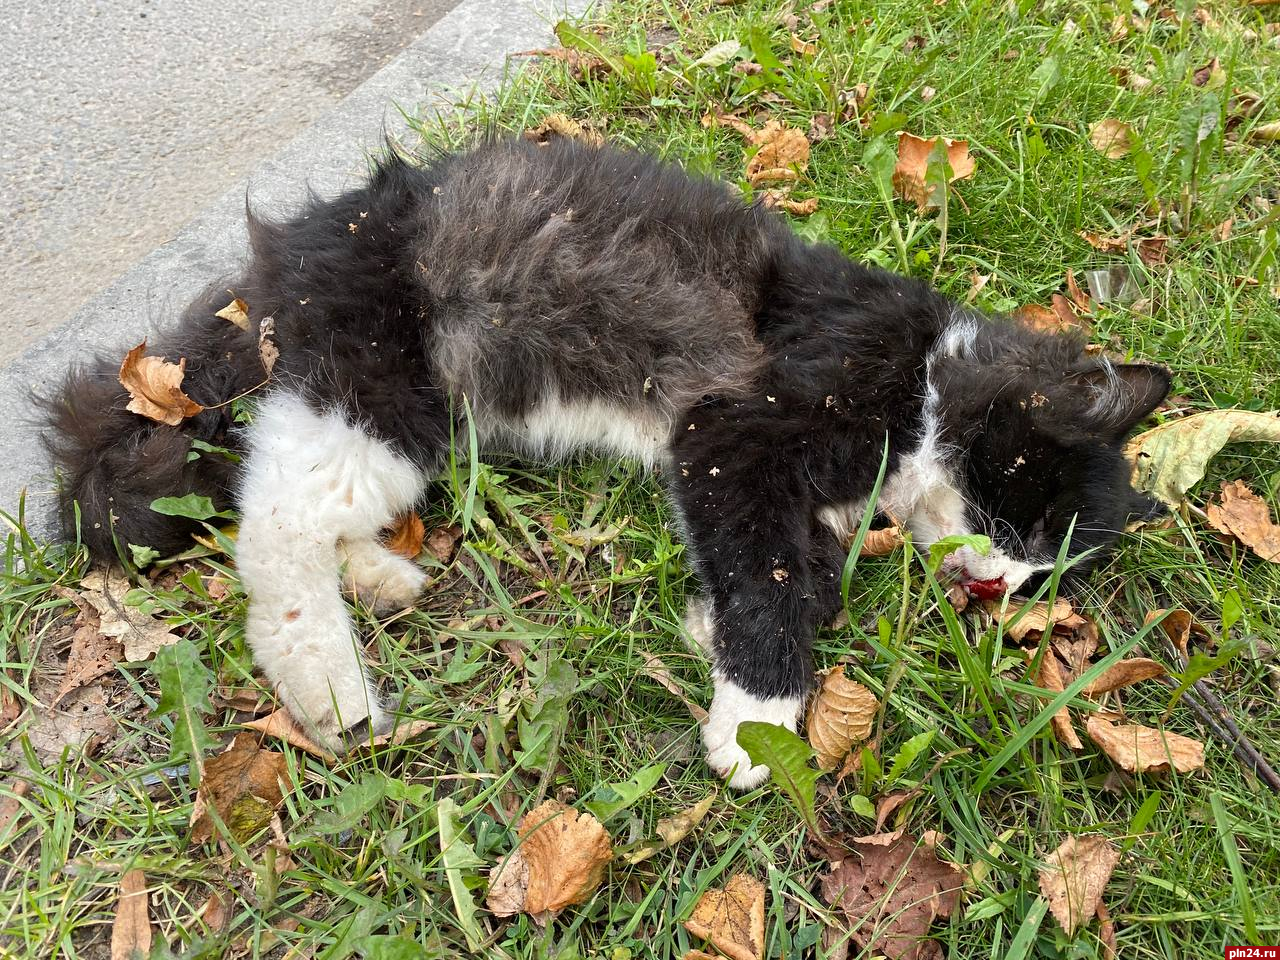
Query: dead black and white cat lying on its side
{"points": [[596, 299]]}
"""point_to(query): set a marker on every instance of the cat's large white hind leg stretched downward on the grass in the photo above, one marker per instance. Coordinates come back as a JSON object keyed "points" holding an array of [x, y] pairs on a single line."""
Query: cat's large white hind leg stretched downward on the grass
{"points": [[312, 481]]}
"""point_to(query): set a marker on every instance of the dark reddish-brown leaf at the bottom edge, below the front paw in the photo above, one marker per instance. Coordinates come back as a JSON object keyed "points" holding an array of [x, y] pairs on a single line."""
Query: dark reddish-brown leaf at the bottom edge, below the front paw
{"points": [[889, 890]]}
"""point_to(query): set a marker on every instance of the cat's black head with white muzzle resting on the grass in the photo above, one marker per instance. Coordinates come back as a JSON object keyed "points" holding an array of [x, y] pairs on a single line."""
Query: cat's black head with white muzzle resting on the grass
{"points": [[1034, 429]]}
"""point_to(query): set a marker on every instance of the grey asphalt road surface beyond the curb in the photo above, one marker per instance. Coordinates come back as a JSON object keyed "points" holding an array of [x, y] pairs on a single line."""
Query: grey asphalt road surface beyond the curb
{"points": [[122, 120]]}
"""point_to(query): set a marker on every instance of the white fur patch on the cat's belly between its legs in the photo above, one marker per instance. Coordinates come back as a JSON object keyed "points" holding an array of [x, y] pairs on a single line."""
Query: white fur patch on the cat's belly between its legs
{"points": [[555, 431]]}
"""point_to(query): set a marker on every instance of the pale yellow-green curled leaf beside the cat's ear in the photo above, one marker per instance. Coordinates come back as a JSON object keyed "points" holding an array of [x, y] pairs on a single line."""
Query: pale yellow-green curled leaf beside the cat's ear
{"points": [[1171, 460]]}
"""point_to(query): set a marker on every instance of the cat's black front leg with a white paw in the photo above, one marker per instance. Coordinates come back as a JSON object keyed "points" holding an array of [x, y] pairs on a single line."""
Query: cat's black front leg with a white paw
{"points": [[748, 522]]}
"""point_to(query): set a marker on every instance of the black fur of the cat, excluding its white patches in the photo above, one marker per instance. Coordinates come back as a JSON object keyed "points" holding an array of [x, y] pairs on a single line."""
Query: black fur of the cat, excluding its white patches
{"points": [[515, 272]]}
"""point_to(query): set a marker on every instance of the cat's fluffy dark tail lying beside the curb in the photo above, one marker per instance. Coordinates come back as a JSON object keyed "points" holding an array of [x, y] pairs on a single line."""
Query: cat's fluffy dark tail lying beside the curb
{"points": [[113, 464]]}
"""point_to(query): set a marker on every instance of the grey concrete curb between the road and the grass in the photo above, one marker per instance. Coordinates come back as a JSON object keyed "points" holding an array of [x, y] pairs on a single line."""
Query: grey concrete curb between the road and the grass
{"points": [[465, 52]]}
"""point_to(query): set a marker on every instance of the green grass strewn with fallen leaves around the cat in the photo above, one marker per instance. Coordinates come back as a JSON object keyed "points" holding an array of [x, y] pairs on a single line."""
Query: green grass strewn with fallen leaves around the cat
{"points": [[508, 625]]}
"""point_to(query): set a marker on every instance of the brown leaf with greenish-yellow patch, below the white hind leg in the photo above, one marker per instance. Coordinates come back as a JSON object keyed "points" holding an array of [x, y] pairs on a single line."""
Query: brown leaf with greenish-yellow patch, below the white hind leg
{"points": [[243, 785]]}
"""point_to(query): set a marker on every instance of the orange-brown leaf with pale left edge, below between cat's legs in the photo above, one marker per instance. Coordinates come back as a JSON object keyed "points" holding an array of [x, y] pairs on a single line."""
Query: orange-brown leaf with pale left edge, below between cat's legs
{"points": [[560, 862]]}
